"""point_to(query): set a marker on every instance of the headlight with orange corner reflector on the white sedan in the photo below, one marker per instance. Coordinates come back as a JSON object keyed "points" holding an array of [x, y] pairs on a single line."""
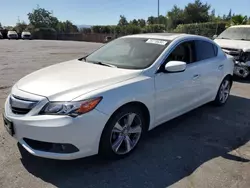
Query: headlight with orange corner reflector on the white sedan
{"points": [[70, 108]]}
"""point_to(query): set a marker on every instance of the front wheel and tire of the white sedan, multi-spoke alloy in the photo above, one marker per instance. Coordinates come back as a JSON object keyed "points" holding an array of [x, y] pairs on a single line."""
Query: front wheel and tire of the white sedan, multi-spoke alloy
{"points": [[114, 142]]}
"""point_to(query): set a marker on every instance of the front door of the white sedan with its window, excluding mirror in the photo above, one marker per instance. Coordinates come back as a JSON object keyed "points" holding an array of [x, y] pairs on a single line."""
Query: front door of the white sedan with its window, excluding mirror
{"points": [[176, 93]]}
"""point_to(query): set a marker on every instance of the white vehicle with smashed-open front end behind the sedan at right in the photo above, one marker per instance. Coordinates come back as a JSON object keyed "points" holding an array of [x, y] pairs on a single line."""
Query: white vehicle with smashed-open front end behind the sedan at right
{"points": [[235, 41]]}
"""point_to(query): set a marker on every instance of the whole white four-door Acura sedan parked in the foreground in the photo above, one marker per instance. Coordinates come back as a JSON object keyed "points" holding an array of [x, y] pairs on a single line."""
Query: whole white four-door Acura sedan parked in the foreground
{"points": [[105, 102]]}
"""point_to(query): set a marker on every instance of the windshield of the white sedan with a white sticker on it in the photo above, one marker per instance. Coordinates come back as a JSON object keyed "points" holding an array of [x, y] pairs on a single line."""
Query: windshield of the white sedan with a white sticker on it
{"points": [[129, 53]]}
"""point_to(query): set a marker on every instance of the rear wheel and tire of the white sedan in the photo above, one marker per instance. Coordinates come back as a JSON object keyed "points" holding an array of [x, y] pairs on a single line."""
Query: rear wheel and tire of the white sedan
{"points": [[223, 92]]}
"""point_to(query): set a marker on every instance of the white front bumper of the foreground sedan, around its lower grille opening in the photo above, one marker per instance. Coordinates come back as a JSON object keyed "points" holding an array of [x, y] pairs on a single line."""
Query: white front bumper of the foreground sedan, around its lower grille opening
{"points": [[83, 132]]}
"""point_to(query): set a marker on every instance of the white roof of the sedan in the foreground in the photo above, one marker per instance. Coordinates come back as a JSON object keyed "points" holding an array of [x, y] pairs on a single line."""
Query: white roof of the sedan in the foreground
{"points": [[163, 36]]}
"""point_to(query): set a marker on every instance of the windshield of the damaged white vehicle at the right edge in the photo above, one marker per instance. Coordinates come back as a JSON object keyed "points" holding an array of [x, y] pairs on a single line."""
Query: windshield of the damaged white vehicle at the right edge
{"points": [[236, 33]]}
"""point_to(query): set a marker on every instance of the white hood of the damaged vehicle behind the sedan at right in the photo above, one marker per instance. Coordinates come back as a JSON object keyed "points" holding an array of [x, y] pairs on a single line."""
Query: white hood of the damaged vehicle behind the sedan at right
{"points": [[234, 44]]}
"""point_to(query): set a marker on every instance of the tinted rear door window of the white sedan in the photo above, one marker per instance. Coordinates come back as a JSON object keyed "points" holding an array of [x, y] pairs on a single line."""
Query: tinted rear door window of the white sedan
{"points": [[205, 50]]}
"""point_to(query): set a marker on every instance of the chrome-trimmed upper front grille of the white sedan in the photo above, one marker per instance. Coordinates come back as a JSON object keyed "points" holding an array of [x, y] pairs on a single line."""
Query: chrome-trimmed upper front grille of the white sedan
{"points": [[20, 105]]}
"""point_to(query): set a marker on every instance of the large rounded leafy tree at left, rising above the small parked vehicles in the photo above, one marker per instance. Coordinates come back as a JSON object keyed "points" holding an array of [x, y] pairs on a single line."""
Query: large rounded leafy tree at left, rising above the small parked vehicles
{"points": [[41, 17]]}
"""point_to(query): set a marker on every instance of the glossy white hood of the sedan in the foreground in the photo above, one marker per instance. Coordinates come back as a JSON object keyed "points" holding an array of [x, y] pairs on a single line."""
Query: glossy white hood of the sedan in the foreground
{"points": [[68, 80]]}
